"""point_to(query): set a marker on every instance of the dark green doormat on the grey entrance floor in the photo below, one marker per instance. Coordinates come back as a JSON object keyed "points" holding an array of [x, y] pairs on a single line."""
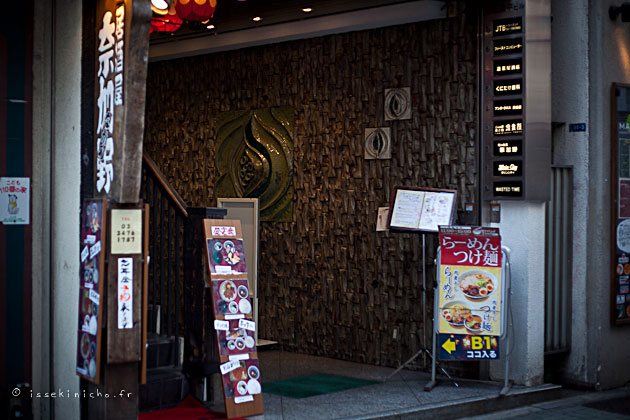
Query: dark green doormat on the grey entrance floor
{"points": [[310, 385]]}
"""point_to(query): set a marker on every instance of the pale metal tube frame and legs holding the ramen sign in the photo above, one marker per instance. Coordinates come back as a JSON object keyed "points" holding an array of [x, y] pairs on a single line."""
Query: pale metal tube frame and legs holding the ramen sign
{"points": [[506, 308]]}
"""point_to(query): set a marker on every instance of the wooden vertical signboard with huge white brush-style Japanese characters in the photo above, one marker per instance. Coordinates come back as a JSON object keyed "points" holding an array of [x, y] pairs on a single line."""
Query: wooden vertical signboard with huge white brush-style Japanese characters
{"points": [[121, 57]]}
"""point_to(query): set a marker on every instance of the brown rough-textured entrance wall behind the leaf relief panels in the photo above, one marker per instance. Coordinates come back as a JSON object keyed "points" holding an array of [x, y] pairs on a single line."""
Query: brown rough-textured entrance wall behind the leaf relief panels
{"points": [[328, 283]]}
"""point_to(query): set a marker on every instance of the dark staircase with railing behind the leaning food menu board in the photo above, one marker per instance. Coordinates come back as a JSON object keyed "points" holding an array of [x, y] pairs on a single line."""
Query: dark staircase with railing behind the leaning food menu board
{"points": [[181, 346]]}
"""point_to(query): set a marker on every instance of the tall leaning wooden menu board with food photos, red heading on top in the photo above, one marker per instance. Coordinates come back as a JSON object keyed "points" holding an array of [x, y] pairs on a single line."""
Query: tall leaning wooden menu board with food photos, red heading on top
{"points": [[233, 315]]}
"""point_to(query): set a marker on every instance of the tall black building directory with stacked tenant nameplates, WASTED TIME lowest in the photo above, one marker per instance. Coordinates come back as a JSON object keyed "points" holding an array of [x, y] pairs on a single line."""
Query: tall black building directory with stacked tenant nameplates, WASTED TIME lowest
{"points": [[516, 141]]}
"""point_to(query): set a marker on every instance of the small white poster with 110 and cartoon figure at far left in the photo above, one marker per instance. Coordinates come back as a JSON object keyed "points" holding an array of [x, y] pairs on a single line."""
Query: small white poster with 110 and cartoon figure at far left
{"points": [[15, 201]]}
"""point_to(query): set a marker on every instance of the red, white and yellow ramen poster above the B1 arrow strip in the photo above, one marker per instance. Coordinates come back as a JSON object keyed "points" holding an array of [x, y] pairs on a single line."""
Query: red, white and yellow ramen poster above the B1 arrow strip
{"points": [[470, 283]]}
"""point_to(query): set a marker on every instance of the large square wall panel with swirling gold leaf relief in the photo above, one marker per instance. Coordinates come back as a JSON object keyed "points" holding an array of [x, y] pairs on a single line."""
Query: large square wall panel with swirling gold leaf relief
{"points": [[254, 159]]}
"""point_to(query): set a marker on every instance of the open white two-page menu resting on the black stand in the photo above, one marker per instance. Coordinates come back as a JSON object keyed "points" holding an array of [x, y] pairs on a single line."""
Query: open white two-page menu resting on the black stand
{"points": [[421, 209]]}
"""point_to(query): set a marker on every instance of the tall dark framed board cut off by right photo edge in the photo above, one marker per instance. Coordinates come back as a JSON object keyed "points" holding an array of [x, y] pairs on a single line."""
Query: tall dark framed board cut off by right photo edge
{"points": [[620, 270]]}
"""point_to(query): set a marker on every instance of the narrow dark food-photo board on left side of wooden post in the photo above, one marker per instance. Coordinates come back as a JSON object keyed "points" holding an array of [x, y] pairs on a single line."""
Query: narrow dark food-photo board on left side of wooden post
{"points": [[91, 276]]}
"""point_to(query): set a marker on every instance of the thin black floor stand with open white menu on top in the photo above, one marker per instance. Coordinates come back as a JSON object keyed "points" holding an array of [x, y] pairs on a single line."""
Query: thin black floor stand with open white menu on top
{"points": [[417, 209]]}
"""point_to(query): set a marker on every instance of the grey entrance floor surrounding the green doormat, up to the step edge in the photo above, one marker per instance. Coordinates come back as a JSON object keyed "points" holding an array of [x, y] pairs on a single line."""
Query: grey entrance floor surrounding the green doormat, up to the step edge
{"points": [[400, 397]]}
